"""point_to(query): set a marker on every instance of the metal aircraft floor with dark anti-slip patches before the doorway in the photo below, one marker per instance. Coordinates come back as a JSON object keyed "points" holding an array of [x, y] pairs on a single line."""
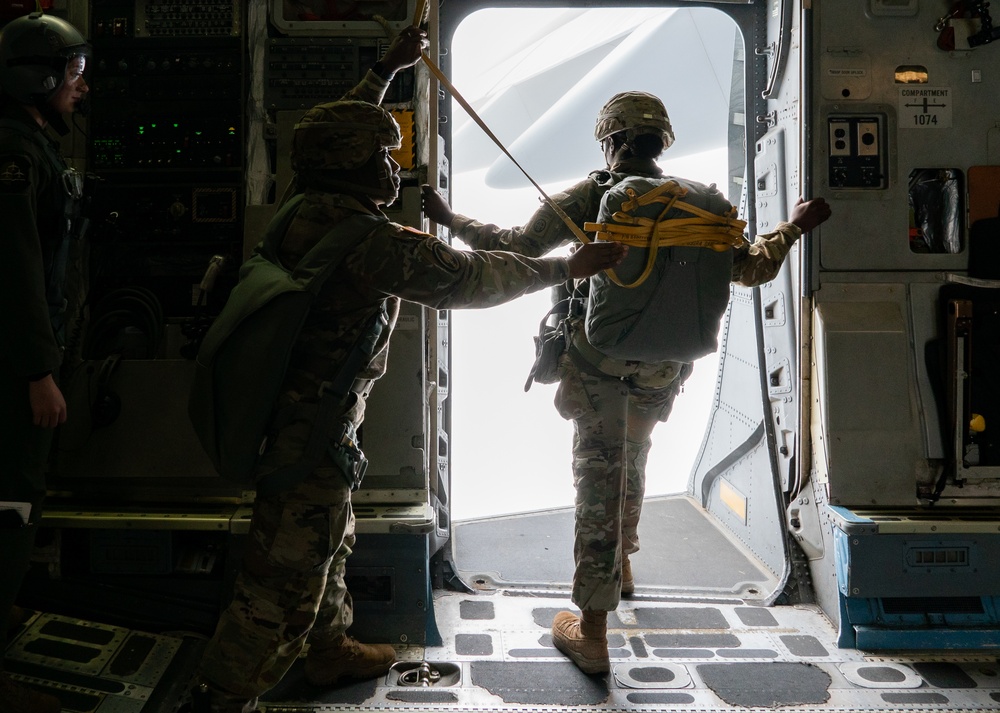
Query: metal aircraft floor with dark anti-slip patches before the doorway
{"points": [[496, 655]]}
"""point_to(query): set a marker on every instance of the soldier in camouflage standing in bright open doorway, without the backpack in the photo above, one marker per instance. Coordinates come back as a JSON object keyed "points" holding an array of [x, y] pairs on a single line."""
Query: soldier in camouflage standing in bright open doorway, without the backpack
{"points": [[613, 404]]}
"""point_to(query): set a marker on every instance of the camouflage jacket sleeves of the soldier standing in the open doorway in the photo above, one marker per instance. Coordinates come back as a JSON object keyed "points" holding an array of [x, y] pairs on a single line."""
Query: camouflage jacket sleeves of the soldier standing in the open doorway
{"points": [[753, 264]]}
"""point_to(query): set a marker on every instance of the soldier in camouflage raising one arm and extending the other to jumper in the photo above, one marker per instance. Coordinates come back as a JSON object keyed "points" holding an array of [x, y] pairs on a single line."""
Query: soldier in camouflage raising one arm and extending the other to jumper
{"points": [[291, 588]]}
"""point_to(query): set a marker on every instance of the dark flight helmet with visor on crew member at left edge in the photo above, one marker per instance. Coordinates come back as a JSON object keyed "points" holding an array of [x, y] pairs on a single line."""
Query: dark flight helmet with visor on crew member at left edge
{"points": [[34, 51]]}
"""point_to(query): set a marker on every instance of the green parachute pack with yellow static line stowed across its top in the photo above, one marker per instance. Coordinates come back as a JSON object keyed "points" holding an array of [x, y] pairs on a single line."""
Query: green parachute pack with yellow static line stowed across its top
{"points": [[666, 300]]}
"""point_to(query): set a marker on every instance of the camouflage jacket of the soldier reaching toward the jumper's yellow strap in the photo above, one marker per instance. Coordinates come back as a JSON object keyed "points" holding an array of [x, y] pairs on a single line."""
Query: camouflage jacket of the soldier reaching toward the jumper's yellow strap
{"points": [[392, 263]]}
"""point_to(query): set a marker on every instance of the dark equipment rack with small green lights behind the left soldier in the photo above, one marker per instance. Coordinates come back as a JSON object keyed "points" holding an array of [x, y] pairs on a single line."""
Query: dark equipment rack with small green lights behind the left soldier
{"points": [[166, 139]]}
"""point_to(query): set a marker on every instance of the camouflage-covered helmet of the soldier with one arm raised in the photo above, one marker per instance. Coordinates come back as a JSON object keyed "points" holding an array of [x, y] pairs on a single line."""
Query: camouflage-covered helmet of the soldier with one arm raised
{"points": [[342, 135]]}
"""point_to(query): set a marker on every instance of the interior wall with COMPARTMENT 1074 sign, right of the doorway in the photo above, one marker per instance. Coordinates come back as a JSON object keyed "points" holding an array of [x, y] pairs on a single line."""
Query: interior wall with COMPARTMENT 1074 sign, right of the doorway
{"points": [[901, 138]]}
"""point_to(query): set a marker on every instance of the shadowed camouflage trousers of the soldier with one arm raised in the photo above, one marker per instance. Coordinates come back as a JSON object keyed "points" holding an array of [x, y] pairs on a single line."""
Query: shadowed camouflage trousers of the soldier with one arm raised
{"points": [[290, 588]]}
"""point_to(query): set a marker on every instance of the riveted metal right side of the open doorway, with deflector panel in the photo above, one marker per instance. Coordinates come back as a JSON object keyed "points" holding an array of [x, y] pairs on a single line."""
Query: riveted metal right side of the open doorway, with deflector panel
{"points": [[748, 462]]}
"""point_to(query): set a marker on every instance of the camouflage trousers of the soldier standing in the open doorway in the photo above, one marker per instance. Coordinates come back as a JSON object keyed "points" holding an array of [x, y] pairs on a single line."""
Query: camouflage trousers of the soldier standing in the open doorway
{"points": [[614, 406]]}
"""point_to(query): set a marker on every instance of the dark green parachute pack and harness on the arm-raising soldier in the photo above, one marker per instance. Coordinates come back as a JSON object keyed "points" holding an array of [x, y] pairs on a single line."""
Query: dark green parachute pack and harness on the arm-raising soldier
{"points": [[245, 353]]}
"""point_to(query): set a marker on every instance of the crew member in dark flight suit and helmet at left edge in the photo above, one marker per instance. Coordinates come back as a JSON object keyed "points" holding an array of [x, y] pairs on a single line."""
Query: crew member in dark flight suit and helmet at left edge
{"points": [[42, 59]]}
